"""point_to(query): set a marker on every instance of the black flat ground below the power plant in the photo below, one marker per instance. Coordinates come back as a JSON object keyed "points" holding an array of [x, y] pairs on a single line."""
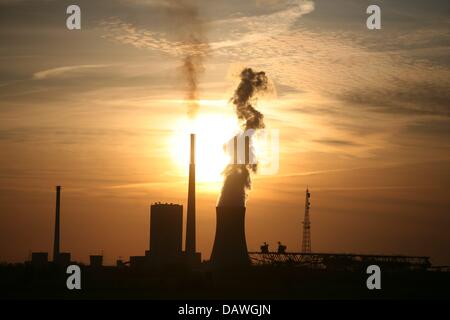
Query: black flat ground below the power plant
{"points": [[27, 282]]}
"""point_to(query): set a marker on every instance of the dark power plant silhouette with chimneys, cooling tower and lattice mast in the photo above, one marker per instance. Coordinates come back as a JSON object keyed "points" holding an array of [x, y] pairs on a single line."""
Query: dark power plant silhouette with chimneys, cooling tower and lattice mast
{"points": [[230, 246]]}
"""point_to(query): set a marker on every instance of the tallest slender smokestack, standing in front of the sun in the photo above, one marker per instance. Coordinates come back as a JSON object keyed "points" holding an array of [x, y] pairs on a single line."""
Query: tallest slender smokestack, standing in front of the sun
{"points": [[190, 220]]}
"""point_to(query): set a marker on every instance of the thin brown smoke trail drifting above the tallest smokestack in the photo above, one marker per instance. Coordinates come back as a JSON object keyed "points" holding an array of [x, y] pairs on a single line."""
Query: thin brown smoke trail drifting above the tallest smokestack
{"points": [[194, 47]]}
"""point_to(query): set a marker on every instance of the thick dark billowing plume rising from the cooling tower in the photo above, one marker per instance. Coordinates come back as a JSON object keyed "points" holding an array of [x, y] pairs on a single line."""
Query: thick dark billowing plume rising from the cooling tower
{"points": [[238, 176]]}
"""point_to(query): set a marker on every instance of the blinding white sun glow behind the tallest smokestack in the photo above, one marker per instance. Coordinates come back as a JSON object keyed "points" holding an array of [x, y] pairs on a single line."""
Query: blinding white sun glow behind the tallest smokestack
{"points": [[213, 131]]}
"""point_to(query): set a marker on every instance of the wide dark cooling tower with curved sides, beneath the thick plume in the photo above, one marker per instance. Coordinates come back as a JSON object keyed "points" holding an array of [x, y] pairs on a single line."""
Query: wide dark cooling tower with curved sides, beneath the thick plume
{"points": [[230, 247]]}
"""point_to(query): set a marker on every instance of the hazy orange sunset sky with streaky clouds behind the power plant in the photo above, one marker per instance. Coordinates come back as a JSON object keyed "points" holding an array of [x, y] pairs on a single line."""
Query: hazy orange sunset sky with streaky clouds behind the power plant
{"points": [[363, 117]]}
